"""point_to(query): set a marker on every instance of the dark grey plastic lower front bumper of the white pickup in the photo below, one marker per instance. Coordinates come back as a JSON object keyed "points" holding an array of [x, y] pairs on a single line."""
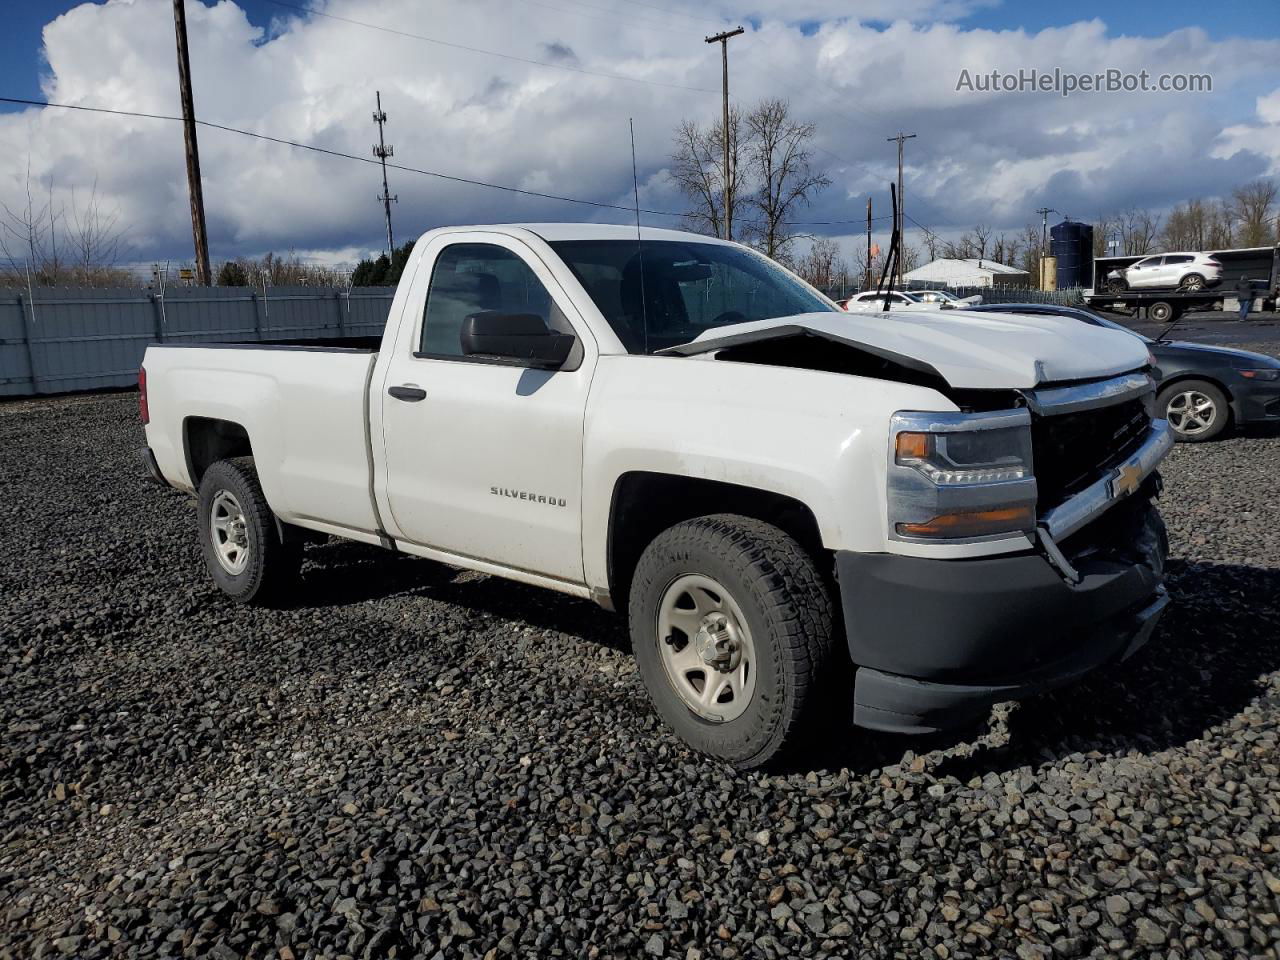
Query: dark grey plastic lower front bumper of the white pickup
{"points": [[936, 643]]}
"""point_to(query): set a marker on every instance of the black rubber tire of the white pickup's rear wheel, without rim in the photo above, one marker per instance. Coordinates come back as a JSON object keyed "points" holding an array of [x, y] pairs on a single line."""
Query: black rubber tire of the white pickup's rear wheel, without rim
{"points": [[273, 557]]}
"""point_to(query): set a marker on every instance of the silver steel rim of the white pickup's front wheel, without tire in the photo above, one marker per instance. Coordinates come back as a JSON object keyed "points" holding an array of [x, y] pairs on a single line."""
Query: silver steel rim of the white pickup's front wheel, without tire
{"points": [[706, 648]]}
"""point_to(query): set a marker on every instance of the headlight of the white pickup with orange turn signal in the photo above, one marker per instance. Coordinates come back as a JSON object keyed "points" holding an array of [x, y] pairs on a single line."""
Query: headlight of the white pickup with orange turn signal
{"points": [[961, 477]]}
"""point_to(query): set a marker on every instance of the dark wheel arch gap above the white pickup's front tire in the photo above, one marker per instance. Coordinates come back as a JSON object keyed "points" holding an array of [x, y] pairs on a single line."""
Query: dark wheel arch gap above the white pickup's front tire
{"points": [[646, 504]]}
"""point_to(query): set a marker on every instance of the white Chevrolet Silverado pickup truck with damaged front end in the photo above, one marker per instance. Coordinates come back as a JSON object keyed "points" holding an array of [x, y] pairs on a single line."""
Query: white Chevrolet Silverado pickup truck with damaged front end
{"points": [[908, 518]]}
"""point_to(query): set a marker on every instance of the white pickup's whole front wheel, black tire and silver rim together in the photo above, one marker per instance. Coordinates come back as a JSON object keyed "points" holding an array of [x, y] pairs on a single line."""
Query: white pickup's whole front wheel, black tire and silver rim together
{"points": [[734, 632]]}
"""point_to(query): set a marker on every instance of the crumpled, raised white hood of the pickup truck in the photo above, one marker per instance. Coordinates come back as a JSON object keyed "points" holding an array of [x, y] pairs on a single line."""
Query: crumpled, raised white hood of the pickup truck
{"points": [[968, 350]]}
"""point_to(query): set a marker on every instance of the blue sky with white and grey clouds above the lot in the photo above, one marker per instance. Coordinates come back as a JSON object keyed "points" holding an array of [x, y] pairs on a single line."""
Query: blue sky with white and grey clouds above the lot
{"points": [[860, 70]]}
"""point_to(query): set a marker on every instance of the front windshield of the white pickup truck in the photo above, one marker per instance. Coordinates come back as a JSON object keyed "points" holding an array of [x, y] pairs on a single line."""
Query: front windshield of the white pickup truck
{"points": [[689, 289]]}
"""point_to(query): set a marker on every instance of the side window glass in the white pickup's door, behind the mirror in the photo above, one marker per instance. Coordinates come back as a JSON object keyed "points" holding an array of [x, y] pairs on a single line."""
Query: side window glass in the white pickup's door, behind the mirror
{"points": [[472, 278]]}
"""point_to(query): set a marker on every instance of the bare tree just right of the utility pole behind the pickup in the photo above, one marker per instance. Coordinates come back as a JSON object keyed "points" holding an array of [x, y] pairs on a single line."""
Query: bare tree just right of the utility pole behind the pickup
{"points": [[783, 176]]}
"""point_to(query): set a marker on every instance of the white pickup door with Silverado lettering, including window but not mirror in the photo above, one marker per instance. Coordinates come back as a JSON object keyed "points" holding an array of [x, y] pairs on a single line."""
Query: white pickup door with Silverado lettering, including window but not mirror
{"points": [[484, 459]]}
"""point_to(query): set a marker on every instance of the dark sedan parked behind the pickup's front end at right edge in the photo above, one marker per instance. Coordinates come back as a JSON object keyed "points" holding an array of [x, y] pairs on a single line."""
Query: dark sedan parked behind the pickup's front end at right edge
{"points": [[1203, 390]]}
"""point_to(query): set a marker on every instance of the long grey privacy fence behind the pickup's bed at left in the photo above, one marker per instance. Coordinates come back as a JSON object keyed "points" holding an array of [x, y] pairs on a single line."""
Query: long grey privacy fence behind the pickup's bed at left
{"points": [[58, 340]]}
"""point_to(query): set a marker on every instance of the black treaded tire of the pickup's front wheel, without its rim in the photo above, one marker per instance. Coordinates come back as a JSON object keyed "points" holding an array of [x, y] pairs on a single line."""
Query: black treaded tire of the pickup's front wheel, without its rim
{"points": [[787, 609]]}
